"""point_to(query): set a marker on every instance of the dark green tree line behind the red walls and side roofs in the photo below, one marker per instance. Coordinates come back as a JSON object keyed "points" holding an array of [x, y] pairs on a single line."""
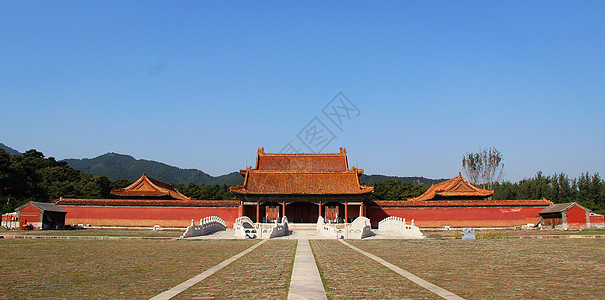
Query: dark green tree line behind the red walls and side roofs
{"points": [[31, 176]]}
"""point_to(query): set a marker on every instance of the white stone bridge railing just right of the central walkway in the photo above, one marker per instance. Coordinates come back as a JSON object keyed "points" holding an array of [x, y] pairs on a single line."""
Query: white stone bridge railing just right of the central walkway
{"points": [[358, 229]]}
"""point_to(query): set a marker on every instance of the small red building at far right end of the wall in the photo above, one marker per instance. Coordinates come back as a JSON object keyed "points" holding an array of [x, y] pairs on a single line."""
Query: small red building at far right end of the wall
{"points": [[569, 215]]}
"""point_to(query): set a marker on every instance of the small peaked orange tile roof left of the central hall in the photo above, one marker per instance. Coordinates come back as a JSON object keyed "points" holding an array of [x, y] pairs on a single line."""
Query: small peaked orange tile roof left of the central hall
{"points": [[149, 187]]}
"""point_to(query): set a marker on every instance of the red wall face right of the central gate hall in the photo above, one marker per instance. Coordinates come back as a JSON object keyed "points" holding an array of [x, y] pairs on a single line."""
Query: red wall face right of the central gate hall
{"points": [[459, 216]]}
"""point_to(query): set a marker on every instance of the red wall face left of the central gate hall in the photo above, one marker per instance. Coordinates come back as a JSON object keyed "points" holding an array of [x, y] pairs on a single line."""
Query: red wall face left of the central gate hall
{"points": [[145, 216]]}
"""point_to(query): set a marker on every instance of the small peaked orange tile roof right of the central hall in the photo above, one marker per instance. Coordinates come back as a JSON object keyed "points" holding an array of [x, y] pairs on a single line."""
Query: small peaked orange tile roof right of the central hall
{"points": [[455, 187]]}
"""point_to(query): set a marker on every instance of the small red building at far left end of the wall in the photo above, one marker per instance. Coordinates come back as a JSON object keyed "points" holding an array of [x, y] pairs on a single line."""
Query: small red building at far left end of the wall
{"points": [[41, 215]]}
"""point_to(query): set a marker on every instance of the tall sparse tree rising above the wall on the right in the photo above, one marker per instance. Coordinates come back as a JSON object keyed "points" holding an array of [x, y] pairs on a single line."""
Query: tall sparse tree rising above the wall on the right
{"points": [[483, 168]]}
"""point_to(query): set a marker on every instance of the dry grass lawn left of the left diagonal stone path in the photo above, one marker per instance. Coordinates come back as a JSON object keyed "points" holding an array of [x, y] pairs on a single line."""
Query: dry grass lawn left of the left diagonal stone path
{"points": [[106, 269]]}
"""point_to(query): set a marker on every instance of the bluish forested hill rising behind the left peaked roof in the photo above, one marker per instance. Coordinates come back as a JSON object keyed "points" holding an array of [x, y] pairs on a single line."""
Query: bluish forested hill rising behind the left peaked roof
{"points": [[119, 166]]}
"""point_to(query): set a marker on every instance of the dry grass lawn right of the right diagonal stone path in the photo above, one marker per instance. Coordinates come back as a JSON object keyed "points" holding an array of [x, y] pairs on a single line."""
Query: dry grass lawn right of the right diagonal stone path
{"points": [[502, 269]]}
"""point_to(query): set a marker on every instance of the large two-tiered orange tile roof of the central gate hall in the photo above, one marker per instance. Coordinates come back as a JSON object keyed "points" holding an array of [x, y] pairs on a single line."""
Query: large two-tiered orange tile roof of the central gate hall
{"points": [[301, 174]]}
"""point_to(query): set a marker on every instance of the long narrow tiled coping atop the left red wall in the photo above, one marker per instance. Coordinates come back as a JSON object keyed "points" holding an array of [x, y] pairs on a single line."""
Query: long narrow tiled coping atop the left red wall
{"points": [[147, 202]]}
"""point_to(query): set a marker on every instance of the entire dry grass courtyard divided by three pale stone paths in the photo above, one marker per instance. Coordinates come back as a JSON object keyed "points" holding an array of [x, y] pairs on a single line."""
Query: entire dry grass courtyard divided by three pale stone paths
{"points": [[140, 269]]}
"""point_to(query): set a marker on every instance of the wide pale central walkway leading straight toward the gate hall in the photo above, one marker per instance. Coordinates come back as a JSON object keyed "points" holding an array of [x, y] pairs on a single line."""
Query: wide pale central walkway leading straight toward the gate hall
{"points": [[306, 282]]}
